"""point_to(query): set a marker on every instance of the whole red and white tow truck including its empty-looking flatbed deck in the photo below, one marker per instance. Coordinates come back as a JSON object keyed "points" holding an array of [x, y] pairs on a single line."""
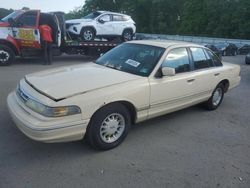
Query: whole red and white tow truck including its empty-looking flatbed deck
{"points": [[20, 37]]}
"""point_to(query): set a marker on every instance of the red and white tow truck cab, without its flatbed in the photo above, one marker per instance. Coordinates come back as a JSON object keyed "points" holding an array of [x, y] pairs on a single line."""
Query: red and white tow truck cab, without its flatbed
{"points": [[19, 33]]}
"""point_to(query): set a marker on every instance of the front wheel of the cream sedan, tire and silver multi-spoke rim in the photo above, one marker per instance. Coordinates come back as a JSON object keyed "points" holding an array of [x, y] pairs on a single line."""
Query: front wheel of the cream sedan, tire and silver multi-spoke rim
{"points": [[113, 119]]}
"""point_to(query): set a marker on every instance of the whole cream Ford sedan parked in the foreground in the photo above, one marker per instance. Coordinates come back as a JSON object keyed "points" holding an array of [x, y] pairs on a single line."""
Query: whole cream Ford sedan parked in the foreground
{"points": [[135, 81]]}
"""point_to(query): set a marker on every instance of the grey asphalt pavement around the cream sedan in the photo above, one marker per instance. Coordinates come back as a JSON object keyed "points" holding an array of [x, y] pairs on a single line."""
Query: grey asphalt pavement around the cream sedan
{"points": [[189, 148]]}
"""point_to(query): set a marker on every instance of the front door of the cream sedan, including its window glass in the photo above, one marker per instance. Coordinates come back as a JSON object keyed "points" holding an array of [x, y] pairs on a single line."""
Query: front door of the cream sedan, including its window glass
{"points": [[170, 93]]}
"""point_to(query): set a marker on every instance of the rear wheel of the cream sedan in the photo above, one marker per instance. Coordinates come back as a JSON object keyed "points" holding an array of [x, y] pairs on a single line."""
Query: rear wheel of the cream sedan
{"points": [[217, 96]]}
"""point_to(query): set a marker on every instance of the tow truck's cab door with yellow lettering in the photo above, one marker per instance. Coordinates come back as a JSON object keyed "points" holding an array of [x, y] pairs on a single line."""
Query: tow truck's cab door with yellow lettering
{"points": [[26, 31]]}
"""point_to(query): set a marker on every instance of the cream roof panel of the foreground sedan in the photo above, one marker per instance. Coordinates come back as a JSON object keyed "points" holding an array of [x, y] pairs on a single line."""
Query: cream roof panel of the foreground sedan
{"points": [[164, 43]]}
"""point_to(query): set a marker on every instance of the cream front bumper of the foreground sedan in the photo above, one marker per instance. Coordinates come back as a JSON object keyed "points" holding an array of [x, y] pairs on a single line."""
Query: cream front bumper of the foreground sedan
{"points": [[50, 130]]}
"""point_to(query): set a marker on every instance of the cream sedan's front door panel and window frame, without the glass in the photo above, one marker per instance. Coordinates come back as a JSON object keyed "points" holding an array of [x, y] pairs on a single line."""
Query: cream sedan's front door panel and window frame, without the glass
{"points": [[171, 103]]}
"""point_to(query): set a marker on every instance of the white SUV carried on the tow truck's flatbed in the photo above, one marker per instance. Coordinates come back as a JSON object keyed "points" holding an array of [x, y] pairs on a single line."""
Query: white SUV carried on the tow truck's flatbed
{"points": [[104, 24]]}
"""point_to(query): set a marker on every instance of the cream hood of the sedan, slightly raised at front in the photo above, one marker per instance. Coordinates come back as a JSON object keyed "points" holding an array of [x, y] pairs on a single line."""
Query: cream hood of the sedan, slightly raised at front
{"points": [[66, 82]]}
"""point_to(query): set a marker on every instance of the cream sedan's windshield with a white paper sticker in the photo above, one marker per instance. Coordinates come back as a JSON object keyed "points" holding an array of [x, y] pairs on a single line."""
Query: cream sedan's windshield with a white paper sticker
{"points": [[136, 59]]}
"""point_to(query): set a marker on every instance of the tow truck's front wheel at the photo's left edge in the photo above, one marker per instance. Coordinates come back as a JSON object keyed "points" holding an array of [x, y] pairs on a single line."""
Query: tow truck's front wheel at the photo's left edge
{"points": [[6, 55]]}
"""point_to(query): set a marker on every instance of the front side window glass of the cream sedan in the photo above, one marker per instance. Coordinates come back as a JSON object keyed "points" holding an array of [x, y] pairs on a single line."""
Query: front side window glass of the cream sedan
{"points": [[178, 59]]}
